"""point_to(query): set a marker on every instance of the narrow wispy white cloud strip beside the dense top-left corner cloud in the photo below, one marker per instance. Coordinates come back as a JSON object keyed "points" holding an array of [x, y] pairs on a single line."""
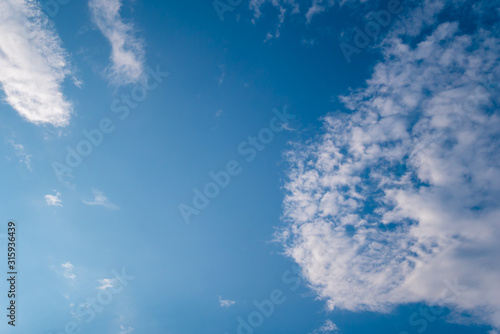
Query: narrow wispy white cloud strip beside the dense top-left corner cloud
{"points": [[127, 50]]}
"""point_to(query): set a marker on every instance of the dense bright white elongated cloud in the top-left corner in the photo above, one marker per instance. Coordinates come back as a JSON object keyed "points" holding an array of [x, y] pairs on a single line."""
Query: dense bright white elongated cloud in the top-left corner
{"points": [[33, 64]]}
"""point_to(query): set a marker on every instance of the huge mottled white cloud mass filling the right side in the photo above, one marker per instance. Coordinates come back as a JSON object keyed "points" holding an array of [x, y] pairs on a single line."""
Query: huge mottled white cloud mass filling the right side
{"points": [[398, 198]]}
